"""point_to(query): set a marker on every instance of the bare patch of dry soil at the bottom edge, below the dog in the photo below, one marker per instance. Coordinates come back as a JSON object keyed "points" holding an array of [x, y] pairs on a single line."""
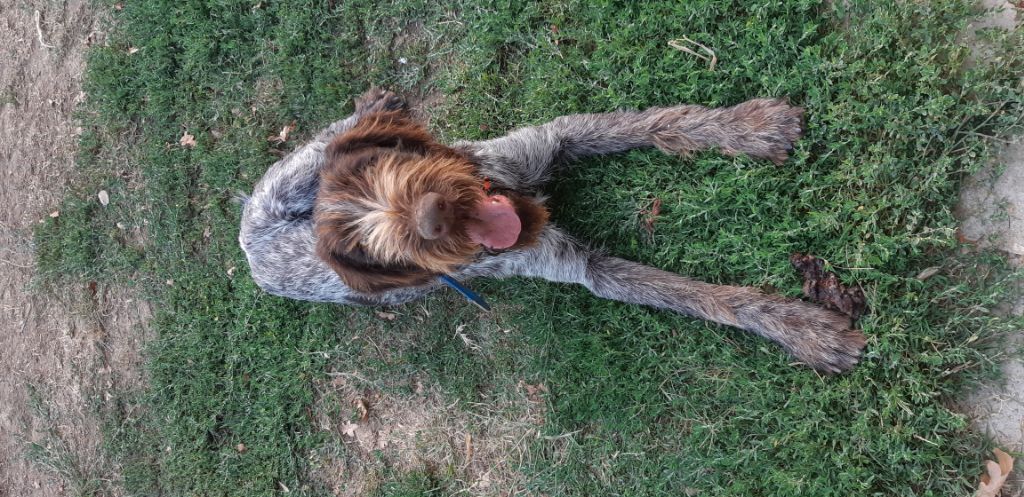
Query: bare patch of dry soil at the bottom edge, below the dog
{"points": [[375, 433]]}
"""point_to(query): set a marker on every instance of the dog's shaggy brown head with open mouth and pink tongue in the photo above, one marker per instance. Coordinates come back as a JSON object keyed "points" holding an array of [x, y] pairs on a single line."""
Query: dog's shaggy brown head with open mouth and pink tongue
{"points": [[396, 209]]}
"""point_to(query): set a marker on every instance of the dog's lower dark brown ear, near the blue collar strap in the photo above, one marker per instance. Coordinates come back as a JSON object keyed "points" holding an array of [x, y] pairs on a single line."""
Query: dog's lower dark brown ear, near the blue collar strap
{"points": [[358, 270]]}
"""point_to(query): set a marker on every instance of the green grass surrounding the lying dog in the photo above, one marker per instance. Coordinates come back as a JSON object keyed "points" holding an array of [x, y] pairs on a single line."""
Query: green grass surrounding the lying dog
{"points": [[642, 403]]}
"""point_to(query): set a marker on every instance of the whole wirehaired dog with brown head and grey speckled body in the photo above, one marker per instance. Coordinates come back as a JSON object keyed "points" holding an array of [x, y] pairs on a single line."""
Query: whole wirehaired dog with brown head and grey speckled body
{"points": [[374, 211]]}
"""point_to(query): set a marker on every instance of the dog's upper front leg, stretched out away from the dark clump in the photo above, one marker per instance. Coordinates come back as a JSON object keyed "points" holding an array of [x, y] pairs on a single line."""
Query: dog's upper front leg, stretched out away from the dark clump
{"points": [[527, 158]]}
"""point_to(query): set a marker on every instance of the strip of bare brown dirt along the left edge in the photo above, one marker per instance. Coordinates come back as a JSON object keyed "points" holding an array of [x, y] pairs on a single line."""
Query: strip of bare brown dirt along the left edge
{"points": [[59, 354]]}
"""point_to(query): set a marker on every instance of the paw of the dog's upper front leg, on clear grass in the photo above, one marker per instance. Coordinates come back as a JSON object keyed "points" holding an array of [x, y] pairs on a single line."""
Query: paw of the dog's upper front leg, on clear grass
{"points": [[769, 128]]}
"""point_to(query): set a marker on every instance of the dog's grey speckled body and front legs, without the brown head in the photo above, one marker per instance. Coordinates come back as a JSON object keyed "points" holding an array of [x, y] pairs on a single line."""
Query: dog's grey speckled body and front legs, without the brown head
{"points": [[278, 231]]}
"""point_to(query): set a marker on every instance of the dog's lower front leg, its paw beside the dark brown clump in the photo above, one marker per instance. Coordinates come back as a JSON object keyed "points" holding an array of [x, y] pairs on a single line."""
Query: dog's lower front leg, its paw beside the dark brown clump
{"points": [[824, 340]]}
